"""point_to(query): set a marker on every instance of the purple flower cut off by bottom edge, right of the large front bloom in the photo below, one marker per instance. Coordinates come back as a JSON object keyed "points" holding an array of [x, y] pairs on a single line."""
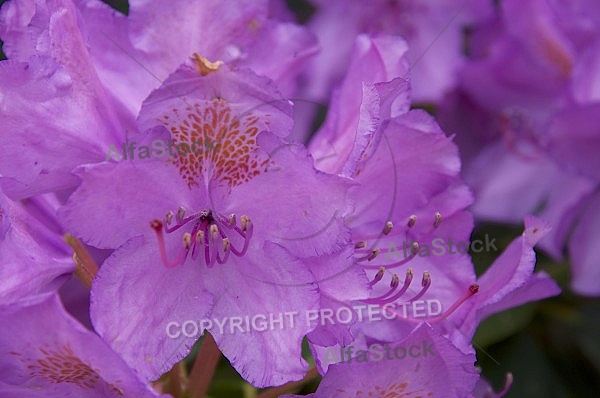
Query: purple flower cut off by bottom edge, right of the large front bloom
{"points": [[447, 372]]}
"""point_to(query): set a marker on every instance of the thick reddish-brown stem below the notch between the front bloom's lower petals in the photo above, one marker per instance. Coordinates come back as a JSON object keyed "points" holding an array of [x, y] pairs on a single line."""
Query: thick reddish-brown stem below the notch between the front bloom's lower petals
{"points": [[204, 367]]}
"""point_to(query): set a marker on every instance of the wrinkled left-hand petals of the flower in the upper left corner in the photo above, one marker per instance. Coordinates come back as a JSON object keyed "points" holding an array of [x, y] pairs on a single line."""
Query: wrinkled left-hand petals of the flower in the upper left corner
{"points": [[55, 112]]}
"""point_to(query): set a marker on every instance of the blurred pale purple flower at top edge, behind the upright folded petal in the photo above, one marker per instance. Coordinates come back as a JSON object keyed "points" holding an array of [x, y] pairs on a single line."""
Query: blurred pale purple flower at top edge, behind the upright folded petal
{"points": [[419, 23]]}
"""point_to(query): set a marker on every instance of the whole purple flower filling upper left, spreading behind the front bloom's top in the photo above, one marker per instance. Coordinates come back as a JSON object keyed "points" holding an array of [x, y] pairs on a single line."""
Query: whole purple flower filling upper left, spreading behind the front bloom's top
{"points": [[72, 87]]}
